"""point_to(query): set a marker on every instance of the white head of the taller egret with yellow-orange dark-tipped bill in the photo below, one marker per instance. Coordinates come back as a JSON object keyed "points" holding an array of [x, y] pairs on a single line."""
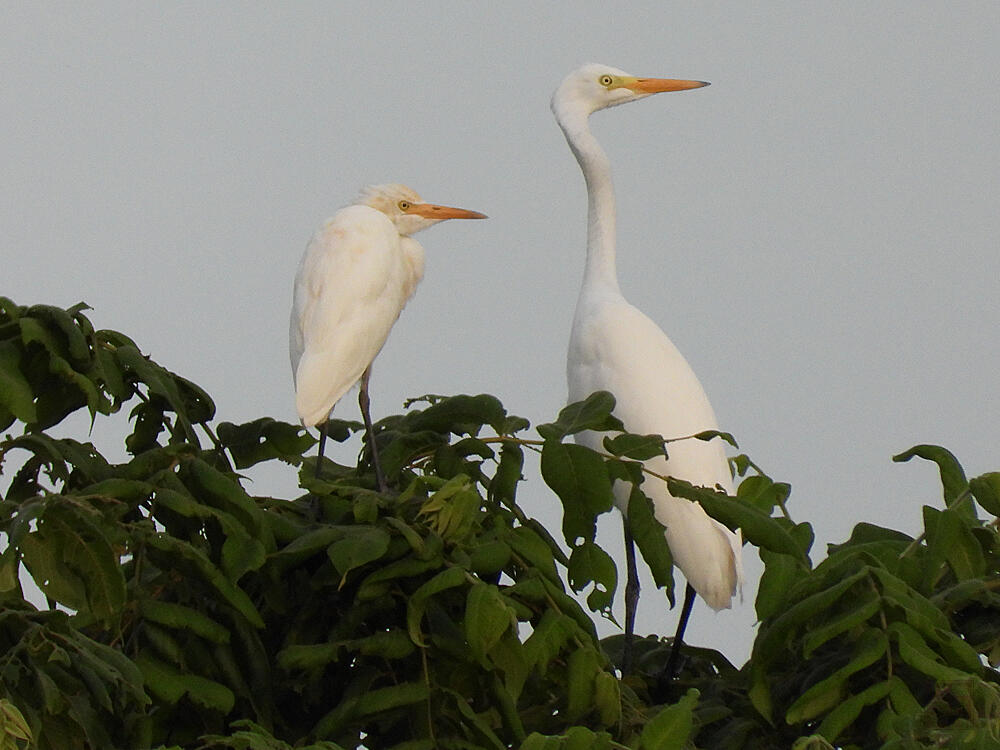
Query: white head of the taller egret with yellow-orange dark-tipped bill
{"points": [[594, 86]]}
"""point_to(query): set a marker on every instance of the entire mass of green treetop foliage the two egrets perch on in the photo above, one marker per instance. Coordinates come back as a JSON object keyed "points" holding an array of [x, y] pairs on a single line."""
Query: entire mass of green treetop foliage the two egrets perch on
{"points": [[185, 612]]}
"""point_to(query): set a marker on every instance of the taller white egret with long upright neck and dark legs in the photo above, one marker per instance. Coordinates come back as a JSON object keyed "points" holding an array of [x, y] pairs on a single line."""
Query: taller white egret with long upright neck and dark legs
{"points": [[615, 347]]}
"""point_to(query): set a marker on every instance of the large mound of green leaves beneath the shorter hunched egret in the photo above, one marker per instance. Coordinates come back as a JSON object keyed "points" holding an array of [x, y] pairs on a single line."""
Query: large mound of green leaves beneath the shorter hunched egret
{"points": [[436, 615]]}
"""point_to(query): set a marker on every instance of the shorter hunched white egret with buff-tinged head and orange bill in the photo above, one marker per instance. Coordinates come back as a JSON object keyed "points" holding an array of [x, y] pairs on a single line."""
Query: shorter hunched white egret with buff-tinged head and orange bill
{"points": [[356, 275]]}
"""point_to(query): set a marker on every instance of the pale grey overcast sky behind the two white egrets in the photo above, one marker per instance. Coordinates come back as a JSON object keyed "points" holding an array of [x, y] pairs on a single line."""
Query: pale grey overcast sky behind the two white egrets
{"points": [[817, 231]]}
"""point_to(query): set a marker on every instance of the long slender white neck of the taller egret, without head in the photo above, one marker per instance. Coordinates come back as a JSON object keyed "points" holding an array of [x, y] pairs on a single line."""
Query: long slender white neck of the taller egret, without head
{"points": [[600, 273]]}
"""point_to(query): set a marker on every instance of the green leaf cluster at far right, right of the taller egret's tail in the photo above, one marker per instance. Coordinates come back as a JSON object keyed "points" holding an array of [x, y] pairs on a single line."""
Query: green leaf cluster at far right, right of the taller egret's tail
{"points": [[891, 641]]}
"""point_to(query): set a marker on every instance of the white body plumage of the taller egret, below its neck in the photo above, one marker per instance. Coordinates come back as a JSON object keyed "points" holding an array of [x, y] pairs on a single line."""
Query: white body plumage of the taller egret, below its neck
{"points": [[615, 347]]}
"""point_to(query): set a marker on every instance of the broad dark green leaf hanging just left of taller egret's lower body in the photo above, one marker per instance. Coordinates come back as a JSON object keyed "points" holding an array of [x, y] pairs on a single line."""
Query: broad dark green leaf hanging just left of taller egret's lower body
{"points": [[577, 475]]}
